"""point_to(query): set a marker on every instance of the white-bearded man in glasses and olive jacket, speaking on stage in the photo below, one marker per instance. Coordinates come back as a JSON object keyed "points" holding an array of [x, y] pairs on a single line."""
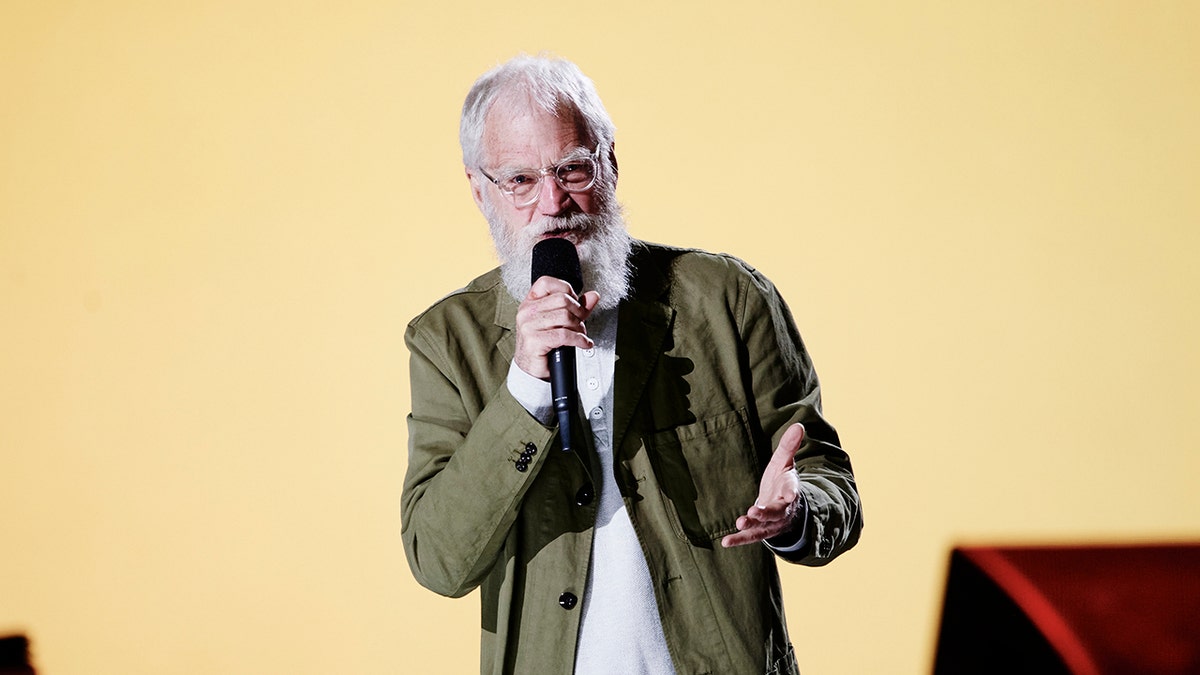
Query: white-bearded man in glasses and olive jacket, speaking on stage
{"points": [[645, 549]]}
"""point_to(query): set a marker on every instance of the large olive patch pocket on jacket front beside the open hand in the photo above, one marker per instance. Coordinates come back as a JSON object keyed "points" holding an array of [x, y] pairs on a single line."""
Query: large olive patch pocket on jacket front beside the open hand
{"points": [[709, 474]]}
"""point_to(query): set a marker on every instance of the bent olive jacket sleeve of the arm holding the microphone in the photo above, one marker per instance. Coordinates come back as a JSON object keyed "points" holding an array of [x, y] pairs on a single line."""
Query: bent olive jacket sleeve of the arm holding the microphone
{"points": [[466, 477]]}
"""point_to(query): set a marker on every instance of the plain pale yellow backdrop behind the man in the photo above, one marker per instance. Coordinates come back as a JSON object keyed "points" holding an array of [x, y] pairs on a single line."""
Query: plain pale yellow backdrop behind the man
{"points": [[218, 218]]}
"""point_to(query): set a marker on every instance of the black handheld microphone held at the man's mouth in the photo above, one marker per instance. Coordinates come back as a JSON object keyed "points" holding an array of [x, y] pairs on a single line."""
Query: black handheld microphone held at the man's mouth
{"points": [[559, 259]]}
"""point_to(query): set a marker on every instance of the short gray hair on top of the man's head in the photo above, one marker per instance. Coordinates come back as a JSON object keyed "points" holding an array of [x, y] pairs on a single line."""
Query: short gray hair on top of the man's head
{"points": [[557, 86]]}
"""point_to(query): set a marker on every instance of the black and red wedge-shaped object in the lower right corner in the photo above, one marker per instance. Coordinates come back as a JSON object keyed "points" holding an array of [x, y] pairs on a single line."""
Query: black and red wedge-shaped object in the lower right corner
{"points": [[1079, 611]]}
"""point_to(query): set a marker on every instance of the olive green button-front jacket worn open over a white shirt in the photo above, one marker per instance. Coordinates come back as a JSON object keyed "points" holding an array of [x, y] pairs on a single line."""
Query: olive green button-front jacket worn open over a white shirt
{"points": [[710, 373]]}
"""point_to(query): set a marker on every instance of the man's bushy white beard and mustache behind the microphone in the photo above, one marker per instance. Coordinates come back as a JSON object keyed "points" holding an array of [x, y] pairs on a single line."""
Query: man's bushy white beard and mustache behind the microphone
{"points": [[602, 241]]}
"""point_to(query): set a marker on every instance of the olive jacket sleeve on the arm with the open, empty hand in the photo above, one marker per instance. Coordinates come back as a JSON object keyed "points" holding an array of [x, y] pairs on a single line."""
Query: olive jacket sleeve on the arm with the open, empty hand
{"points": [[785, 391]]}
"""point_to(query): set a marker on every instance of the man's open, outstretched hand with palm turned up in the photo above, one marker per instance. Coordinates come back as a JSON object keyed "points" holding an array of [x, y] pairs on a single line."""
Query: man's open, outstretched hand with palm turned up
{"points": [[779, 495]]}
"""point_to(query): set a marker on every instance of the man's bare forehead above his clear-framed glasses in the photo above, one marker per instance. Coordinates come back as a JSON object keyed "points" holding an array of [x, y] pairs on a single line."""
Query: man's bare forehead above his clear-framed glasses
{"points": [[519, 133]]}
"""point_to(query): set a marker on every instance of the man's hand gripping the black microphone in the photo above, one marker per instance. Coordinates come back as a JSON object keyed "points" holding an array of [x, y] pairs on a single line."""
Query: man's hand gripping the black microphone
{"points": [[551, 318]]}
